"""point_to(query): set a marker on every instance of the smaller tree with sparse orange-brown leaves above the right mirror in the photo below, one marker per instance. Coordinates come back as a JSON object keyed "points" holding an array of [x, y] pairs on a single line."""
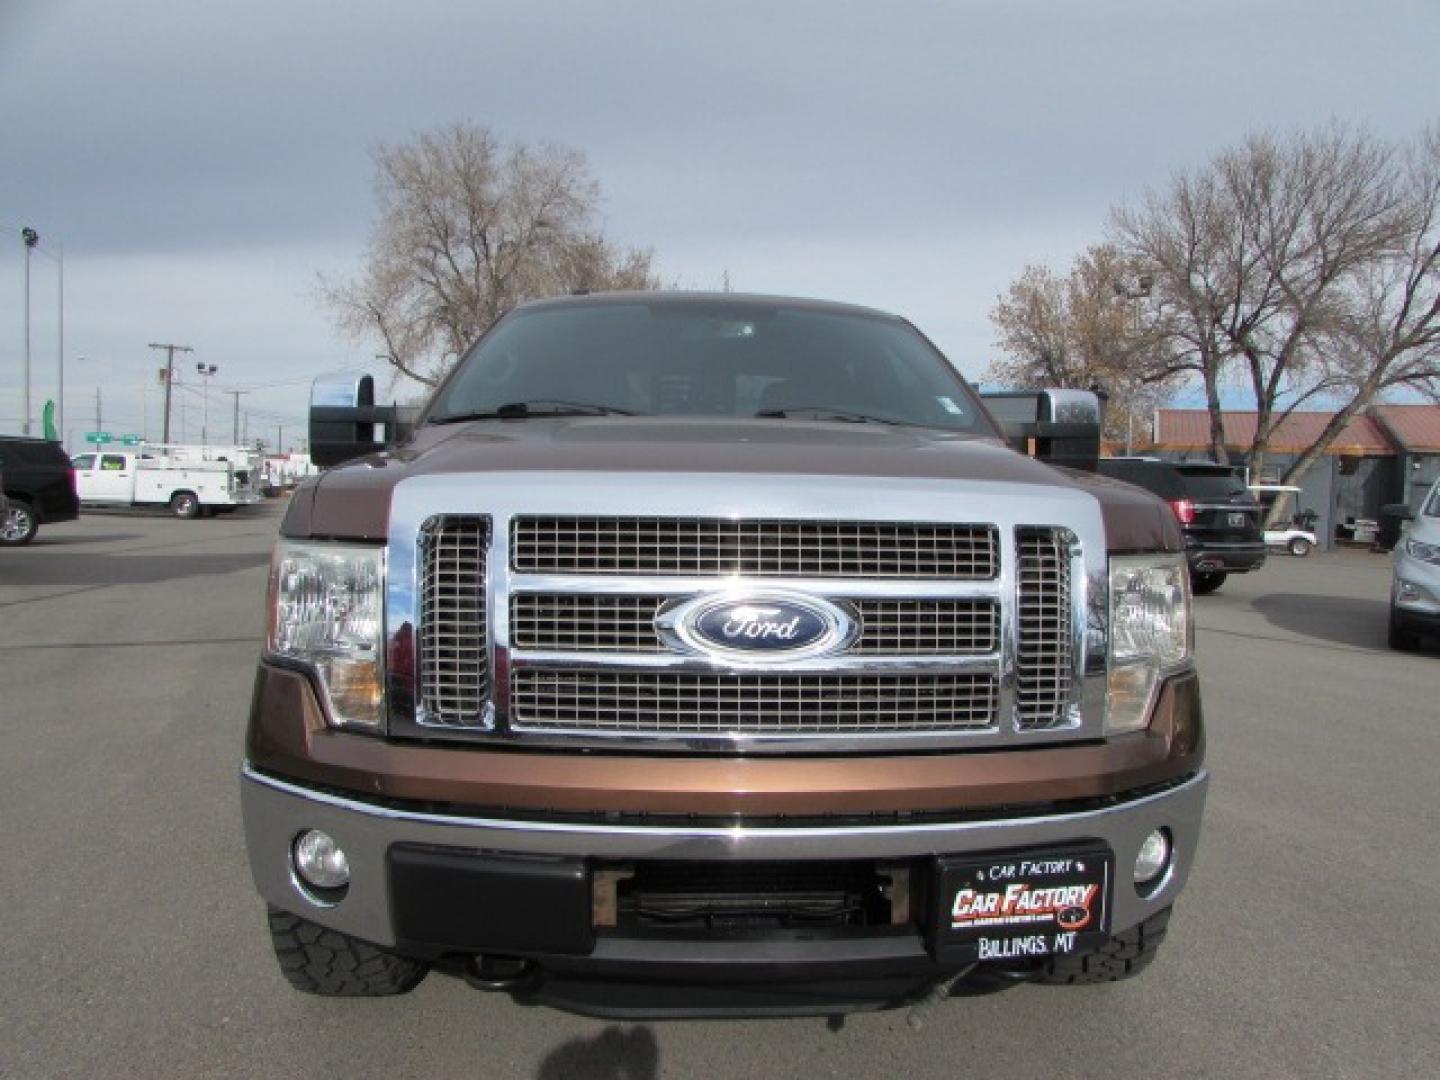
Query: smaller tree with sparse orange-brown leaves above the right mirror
{"points": [[1085, 330]]}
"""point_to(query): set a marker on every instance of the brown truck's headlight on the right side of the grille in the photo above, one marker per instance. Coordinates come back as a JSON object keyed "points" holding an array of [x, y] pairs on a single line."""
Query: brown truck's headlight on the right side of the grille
{"points": [[1150, 634]]}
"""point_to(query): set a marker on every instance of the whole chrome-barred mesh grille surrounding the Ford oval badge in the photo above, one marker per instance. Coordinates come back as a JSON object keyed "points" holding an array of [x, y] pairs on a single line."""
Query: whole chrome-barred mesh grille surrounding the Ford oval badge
{"points": [[968, 637]]}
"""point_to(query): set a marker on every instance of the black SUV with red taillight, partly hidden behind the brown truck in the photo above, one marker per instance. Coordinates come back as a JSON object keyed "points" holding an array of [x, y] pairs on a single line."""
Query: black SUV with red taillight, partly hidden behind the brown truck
{"points": [[1218, 512]]}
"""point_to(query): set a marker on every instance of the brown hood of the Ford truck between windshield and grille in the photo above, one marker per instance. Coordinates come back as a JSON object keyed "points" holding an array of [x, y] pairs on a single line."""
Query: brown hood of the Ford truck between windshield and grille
{"points": [[354, 500]]}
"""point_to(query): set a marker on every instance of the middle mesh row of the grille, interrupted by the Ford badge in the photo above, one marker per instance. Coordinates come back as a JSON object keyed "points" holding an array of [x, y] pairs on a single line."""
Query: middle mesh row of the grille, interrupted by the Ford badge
{"points": [[584, 623]]}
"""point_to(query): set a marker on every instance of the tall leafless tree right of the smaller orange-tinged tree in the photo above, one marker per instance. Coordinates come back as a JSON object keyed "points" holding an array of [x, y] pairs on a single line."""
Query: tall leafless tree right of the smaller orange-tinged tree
{"points": [[1254, 254]]}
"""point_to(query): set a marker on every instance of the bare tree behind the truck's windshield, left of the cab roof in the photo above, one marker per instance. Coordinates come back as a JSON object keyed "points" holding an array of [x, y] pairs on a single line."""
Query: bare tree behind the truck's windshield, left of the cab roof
{"points": [[469, 228]]}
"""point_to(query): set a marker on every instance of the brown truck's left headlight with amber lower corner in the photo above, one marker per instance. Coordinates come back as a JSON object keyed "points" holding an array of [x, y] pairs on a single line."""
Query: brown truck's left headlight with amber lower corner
{"points": [[326, 606]]}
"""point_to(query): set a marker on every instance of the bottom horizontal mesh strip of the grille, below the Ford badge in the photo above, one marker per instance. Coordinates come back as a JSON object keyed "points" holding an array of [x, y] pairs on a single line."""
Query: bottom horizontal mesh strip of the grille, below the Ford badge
{"points": [[683, 703]]}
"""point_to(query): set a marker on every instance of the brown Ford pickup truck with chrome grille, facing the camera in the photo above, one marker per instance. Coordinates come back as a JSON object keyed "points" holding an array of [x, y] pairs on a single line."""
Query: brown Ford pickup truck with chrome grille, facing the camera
{"points": [[718, 654]]}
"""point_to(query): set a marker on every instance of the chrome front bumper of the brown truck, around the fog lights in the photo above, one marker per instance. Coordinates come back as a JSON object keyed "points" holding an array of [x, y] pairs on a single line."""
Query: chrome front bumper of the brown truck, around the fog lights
{"points": [[277, 811]]}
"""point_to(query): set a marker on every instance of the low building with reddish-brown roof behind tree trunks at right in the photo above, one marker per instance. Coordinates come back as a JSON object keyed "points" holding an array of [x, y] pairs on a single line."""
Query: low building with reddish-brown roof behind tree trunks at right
{"points": [[1389, 456]]}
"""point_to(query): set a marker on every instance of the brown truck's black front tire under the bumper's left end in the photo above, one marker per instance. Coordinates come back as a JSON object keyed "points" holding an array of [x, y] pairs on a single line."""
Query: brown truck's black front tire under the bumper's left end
{"points": [[336, 966]]}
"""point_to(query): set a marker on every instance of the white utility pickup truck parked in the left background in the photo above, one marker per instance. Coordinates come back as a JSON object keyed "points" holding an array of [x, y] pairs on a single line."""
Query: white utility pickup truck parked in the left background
{"points": [[189, 489]]}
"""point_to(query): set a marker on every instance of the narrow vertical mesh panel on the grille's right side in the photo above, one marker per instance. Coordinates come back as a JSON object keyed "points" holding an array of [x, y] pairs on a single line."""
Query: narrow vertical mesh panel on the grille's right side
{"points": [[1045, 653]]}
